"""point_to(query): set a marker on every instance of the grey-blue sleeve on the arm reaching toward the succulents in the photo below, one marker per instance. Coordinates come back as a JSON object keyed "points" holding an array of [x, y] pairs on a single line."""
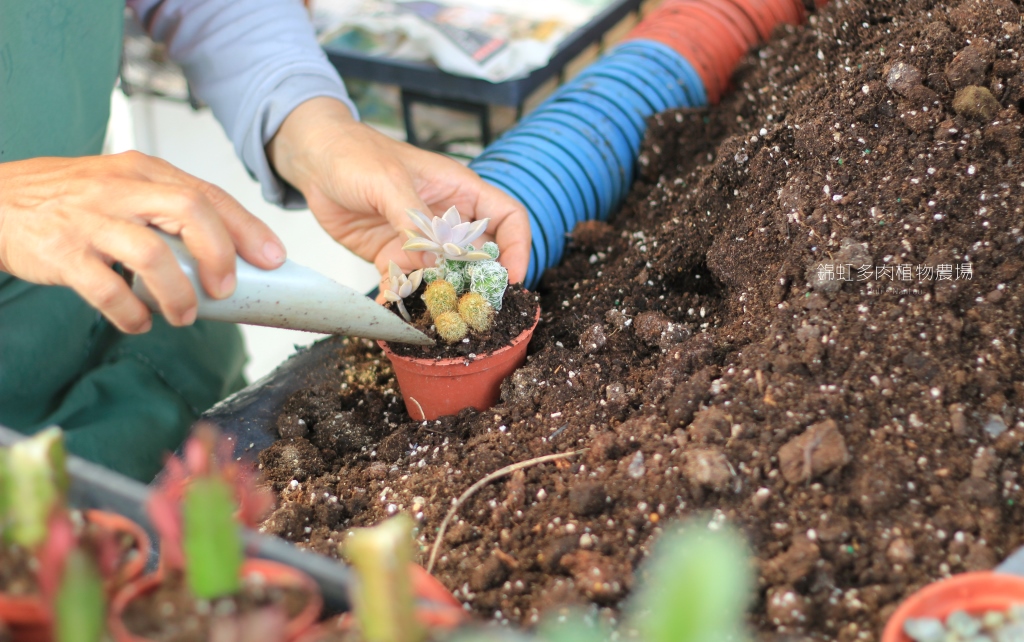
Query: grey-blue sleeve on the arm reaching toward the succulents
{"points": [[252, 62]]}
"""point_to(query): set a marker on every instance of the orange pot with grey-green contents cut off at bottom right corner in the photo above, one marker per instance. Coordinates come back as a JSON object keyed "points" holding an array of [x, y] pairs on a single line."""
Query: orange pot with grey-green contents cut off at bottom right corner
{"points": [[985, 606]]}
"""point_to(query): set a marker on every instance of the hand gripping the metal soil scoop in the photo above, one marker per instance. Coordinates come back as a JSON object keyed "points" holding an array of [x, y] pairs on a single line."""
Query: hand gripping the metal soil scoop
{"points": [[67, 222]]}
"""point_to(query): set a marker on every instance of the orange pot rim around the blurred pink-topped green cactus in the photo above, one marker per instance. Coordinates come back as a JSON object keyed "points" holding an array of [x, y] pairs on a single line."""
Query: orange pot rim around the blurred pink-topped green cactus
{"points": [[273, 573]]}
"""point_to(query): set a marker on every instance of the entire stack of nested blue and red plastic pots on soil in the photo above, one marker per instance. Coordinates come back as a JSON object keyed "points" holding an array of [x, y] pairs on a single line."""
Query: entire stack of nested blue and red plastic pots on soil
{"points": [[573, 159]]}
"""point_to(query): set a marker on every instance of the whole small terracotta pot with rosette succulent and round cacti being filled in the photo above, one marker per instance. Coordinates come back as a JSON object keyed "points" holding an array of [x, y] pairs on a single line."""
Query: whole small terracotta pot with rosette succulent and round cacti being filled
{"points": [[483, 325]]}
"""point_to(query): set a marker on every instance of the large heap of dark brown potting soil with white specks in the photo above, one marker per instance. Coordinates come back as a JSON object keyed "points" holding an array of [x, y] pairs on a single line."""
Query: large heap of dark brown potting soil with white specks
{"points": [[865, 432]]}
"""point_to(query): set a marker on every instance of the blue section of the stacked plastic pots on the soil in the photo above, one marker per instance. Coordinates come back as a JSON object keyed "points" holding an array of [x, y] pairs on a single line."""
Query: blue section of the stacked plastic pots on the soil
{"points": [[573, 159]]}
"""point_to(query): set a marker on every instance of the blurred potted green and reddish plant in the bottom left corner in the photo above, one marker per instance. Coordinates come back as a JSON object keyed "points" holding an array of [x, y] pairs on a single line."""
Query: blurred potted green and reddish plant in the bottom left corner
{"points": [[58, 565]]}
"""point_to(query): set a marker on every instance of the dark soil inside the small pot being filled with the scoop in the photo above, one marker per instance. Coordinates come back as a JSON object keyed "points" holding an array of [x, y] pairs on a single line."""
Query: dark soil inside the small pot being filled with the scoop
{"points": [[518, 314]]}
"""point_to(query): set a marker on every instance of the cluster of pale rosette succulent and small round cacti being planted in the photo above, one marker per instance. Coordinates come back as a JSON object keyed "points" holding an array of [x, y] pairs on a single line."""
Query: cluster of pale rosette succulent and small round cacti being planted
{"points": [[466, 286]]}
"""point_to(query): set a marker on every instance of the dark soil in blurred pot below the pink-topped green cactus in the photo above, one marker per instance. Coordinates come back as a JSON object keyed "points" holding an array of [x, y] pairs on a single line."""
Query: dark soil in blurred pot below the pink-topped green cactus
{"points": [[172, 615]]}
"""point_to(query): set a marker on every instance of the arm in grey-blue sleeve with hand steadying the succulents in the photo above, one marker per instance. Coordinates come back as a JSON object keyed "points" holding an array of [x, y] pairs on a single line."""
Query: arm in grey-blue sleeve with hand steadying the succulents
{"points": [[260, 67]]}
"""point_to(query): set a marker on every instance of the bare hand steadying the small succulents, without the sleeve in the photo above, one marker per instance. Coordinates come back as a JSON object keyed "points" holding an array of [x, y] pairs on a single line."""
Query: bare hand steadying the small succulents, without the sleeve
{"points": [[359, 185]]}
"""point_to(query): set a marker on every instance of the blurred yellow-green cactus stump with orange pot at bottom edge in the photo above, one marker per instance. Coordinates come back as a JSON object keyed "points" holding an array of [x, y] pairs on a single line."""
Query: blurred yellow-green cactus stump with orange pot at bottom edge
{"points": [[388, 584]]}
